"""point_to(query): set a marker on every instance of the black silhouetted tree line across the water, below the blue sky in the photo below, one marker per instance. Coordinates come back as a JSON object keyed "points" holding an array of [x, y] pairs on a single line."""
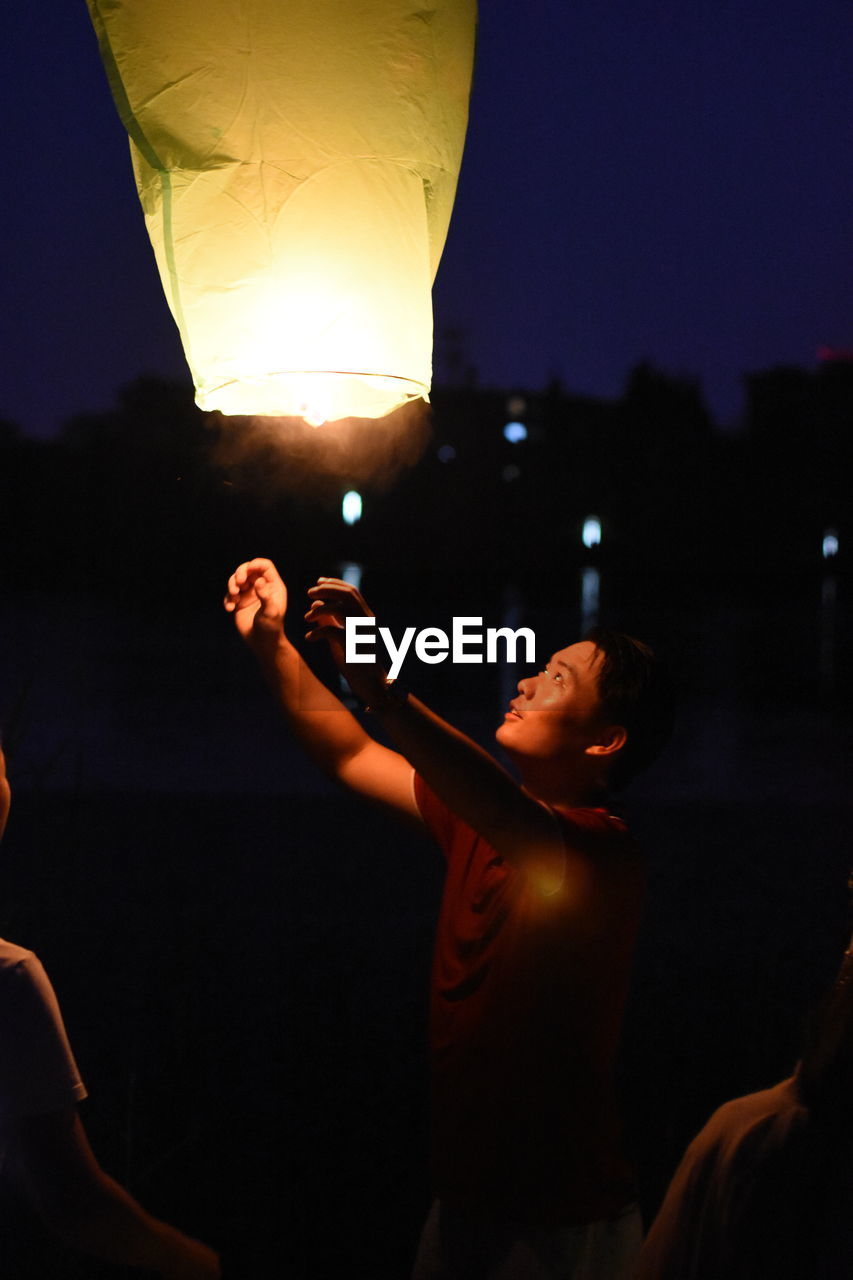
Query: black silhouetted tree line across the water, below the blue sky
{"points": [[150, 501]]}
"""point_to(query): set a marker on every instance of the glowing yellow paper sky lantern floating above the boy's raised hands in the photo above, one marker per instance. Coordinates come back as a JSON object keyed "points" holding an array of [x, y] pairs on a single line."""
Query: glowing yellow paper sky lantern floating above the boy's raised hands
{"points": [[298, 163]]}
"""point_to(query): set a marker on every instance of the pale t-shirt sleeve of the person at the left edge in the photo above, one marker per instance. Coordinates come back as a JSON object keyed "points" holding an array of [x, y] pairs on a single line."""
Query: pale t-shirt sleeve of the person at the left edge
{"points": [[38, 1068]]}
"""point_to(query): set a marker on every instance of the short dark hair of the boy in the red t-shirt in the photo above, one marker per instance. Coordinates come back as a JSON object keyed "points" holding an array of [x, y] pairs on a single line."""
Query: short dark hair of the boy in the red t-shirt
{"points": [[636, 691]]}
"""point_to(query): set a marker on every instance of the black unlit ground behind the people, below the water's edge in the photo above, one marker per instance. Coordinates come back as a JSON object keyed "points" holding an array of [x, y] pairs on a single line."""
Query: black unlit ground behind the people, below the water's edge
{"points": [[245, 988]]}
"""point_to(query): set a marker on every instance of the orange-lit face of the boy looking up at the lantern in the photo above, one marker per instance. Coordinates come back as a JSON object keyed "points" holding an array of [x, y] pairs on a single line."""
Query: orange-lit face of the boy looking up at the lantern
{"points": [[559, 710]]}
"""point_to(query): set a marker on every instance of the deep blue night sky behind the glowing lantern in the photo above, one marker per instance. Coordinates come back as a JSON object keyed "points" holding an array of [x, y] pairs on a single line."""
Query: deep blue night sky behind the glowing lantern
{"points": [[665, 181]]}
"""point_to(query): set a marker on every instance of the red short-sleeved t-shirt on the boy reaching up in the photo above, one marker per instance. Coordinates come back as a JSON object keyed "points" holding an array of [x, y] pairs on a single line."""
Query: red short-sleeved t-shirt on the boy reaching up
{"points": [[527, 999]]}
